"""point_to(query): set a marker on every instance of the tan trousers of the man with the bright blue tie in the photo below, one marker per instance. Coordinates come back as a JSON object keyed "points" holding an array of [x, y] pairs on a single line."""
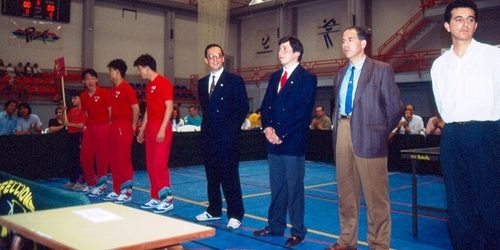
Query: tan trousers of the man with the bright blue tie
{"points": [[354, 173]]}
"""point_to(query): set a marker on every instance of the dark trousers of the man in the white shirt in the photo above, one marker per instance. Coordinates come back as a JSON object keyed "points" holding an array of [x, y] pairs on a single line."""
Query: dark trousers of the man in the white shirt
{"points": [[470, 161]]}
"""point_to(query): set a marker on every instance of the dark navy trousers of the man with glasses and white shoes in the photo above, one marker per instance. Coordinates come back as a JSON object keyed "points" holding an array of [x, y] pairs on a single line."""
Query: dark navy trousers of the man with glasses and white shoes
{"points": [[221, 169]]}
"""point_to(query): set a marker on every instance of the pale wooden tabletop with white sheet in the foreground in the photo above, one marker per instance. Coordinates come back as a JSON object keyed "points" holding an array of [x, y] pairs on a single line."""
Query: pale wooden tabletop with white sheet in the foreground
{"points": [[103, 226]]}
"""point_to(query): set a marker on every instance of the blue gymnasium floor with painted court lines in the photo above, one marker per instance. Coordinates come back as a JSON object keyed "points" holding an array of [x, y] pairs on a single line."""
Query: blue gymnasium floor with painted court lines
{"points": [[190, 199]]}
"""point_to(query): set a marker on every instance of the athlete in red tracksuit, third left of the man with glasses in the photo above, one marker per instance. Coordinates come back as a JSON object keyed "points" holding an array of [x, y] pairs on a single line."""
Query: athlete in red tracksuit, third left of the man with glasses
{"points": [[96, 105]]}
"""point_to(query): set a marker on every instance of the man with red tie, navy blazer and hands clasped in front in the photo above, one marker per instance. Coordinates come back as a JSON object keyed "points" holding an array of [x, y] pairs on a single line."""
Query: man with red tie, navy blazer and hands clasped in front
{"points": [[286, 115]]}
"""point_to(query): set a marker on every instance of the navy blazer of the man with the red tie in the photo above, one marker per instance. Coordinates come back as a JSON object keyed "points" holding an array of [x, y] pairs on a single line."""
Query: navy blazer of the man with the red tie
{"points": [[289, 112]]}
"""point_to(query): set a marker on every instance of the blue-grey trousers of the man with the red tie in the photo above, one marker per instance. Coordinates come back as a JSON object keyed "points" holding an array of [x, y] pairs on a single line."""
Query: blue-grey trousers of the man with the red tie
{"points": [[286, 177]]}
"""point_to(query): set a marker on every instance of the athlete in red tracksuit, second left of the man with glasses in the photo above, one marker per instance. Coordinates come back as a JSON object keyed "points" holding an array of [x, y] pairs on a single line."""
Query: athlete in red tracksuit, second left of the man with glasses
{"points": [[124, 115]]}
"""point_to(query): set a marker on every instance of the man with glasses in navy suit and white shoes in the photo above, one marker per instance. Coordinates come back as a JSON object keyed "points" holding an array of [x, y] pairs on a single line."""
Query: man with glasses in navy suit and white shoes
{"points": [[224, 103]]}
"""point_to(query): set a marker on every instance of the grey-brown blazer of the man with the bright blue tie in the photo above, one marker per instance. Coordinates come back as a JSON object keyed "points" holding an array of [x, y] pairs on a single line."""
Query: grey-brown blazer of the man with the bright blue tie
{"points": [[377, 109]]}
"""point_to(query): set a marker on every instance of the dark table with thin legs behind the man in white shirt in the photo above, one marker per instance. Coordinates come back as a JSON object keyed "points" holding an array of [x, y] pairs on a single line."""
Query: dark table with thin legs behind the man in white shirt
{"points": [[417, 155]]}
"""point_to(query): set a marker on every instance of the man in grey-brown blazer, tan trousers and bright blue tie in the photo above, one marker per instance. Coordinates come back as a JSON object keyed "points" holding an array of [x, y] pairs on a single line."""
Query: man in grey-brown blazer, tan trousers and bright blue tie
{"points": [[367, 108]]}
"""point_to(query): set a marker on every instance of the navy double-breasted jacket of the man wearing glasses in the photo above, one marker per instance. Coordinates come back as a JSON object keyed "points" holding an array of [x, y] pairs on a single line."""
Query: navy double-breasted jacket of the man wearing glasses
{"points": [[223, 113]]}
